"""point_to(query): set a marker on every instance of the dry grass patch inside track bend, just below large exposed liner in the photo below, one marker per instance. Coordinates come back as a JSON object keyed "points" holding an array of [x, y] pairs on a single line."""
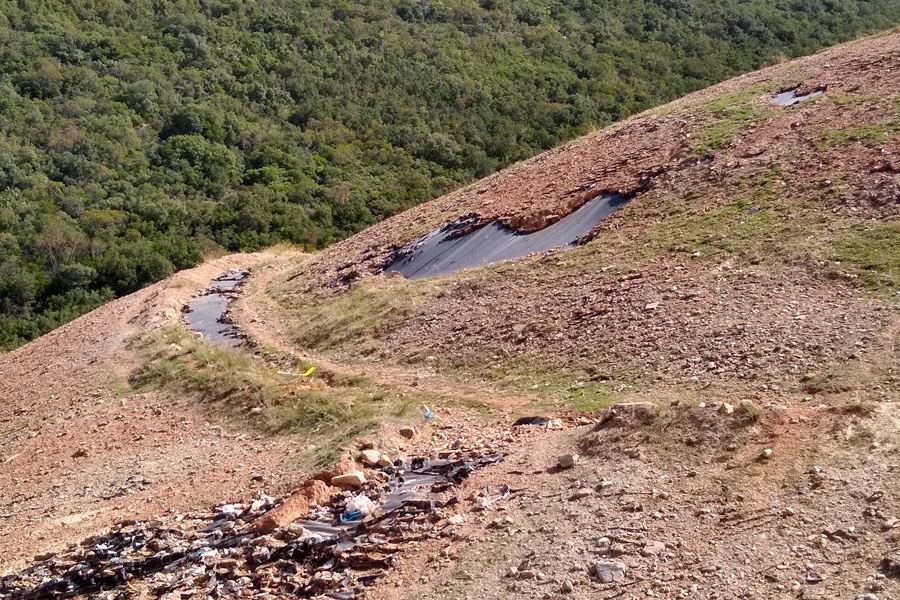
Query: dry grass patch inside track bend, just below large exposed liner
{"points": [[362, 313]]}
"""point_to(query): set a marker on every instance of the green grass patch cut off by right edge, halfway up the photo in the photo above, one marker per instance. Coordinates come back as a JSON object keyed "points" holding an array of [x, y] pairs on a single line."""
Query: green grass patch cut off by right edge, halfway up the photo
{"points": [[872, 251]]}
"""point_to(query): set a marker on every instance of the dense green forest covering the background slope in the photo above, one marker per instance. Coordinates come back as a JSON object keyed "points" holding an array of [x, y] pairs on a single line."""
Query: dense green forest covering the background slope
{"points": [[140, 136]]}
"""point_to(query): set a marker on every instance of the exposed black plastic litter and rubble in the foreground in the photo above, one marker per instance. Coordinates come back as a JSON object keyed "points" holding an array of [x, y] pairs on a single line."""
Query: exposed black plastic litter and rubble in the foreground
{"points": [[241, 550]]}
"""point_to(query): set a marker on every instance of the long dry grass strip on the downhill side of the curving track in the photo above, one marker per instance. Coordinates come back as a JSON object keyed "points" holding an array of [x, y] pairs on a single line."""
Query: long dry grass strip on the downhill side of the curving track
{"points": [[235, 387]]}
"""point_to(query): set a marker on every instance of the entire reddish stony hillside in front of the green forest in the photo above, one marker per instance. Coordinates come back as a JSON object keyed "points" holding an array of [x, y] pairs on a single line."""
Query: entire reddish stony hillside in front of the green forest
{"points": [[722, 351]]}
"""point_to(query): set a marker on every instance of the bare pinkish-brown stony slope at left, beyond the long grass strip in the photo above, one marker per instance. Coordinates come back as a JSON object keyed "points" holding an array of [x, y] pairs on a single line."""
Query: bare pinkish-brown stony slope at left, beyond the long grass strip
{"points": [[76, 454]]}
